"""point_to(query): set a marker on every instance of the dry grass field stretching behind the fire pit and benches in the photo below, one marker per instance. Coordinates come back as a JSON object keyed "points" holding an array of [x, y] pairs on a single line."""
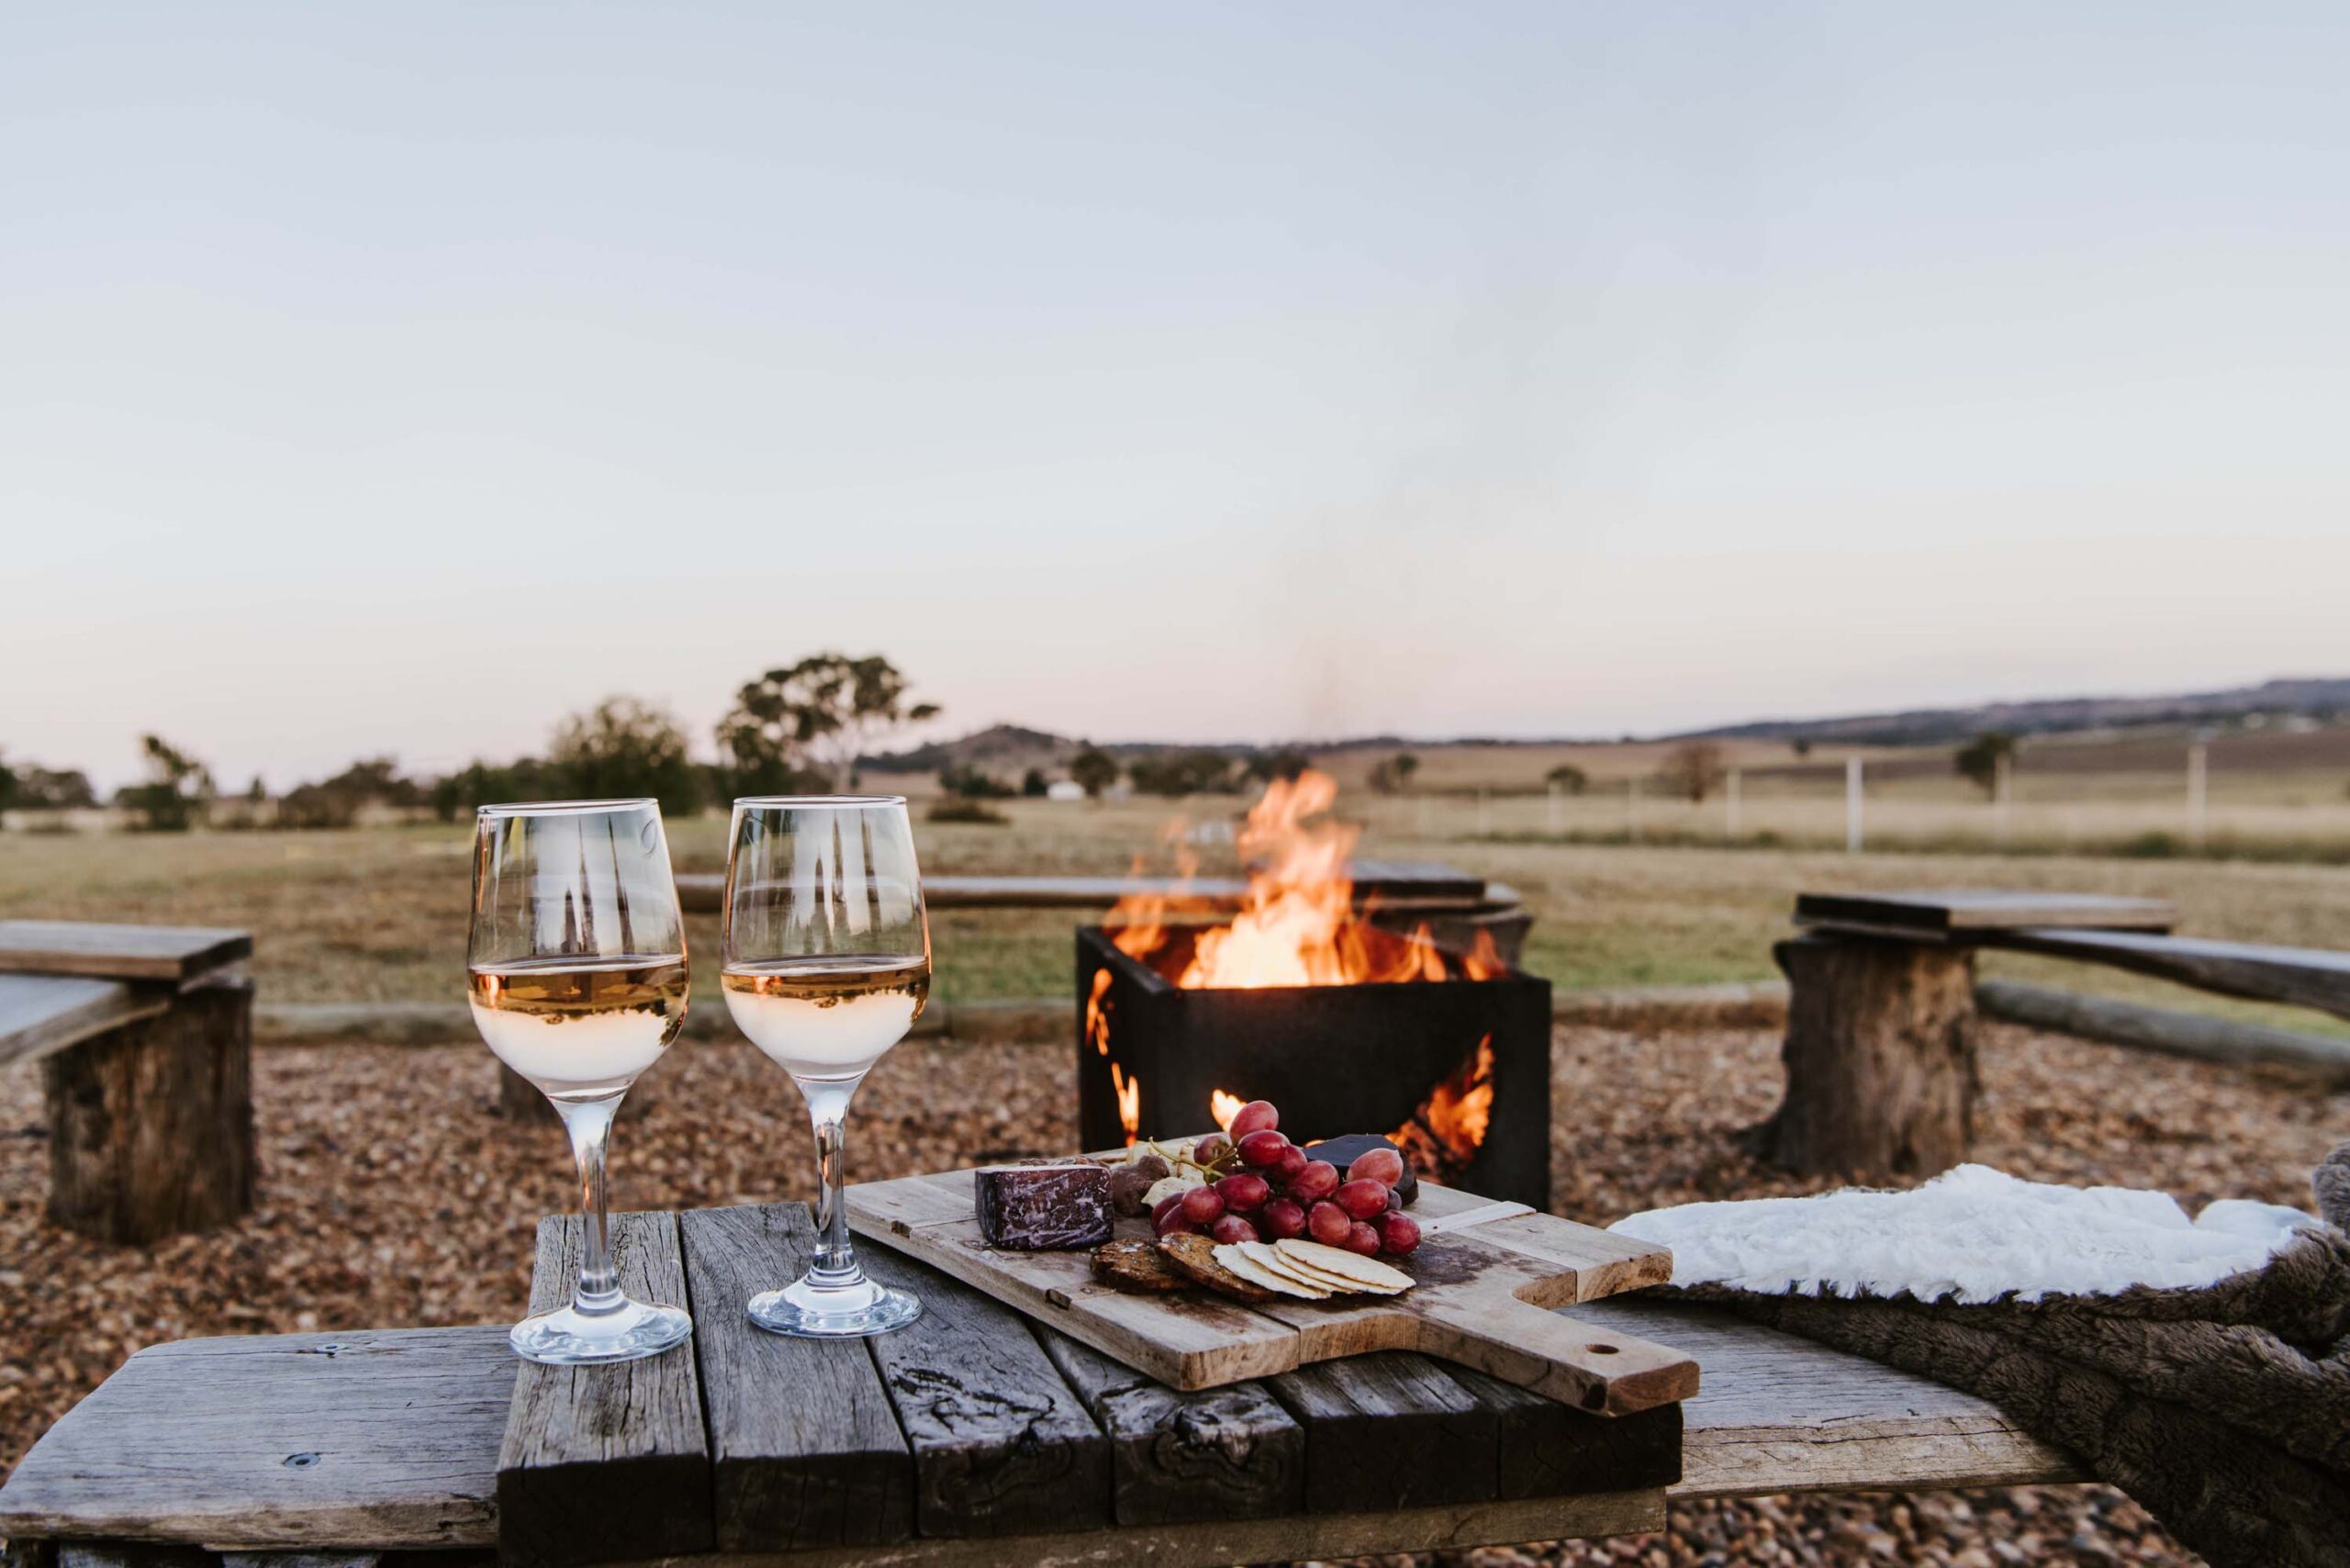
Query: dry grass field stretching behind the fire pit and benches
{"points": [[382, 913]]}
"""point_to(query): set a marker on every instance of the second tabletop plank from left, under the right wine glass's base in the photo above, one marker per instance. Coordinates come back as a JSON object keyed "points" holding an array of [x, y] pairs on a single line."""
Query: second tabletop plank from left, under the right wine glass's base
{"points": [[805, 1447]]}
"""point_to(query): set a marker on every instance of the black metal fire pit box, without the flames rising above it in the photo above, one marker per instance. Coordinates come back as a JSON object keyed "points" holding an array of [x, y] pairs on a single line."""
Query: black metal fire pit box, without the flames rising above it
{"points": [[1336, 1059]]}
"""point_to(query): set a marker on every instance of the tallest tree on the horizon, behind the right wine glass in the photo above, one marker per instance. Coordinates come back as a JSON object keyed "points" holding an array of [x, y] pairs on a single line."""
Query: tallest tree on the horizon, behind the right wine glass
{"points": [[826, 711]]}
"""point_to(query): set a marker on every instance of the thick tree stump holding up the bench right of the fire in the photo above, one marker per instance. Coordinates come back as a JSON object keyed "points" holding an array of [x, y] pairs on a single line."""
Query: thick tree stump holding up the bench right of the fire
{"points": [[1879, 1059]]}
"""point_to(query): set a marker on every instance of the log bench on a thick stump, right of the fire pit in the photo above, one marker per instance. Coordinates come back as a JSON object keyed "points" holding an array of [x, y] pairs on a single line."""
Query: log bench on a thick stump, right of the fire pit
{"points": [[1881, 1024]]}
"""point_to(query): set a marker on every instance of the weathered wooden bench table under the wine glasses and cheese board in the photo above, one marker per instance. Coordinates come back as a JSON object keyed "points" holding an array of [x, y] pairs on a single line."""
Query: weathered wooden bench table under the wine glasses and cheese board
{"points": [[972, 1438]]}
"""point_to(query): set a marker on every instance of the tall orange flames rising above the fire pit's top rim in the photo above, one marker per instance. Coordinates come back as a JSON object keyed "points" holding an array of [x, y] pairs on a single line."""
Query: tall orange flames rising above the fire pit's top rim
{"points": [[1298, 923]]}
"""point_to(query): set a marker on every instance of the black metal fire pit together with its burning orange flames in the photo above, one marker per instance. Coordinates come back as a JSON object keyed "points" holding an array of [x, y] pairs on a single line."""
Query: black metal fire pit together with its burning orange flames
{"points": [[1305, 1003]]}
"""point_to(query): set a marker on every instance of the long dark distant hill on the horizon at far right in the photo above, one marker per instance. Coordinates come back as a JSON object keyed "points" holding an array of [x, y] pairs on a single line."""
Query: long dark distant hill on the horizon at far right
{"points": [[2309, 699]]}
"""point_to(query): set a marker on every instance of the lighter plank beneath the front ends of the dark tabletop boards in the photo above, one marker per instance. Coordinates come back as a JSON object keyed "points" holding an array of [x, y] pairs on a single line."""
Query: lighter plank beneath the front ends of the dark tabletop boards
{"points": [[1249, 1541]]}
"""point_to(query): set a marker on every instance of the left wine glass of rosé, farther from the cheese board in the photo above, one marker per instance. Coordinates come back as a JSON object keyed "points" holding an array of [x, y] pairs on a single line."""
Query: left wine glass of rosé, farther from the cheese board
{"points": [[579, 981]]}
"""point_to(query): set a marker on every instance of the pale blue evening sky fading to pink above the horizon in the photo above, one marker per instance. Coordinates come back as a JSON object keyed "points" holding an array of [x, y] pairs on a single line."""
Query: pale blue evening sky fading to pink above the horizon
{"points": [[403, 377]]}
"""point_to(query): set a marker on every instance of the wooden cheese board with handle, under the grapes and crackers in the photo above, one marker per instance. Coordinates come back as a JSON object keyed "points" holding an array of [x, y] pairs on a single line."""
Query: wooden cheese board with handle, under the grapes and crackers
{"points": [[1486, 1280]]}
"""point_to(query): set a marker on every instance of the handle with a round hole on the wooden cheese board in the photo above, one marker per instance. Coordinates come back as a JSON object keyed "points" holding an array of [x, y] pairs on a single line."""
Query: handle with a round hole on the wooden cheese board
{"points": [[1592, 1369]]}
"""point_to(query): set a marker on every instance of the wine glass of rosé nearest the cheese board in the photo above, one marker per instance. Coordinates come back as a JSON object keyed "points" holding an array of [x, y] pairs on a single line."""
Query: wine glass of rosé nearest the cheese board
{"points": [[828, 965]]}
